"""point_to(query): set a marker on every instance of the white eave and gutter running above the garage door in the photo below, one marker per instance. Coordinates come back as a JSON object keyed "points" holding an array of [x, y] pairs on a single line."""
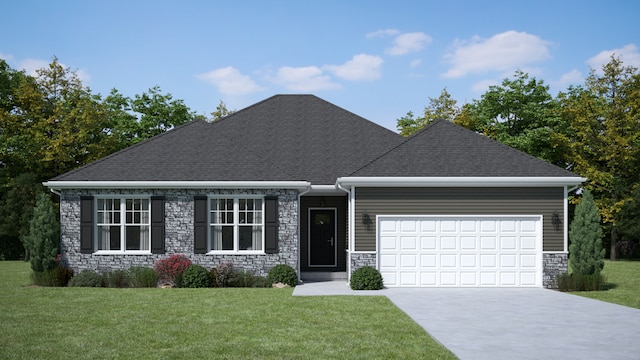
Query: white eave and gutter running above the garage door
{"points": [[460, 181]]}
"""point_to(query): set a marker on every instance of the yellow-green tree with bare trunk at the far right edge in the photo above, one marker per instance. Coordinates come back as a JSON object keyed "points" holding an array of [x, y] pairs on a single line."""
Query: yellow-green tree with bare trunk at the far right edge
{"points": [[603, 118]]}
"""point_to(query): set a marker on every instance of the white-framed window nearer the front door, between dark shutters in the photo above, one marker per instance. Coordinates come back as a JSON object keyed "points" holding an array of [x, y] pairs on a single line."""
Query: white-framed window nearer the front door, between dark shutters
{"points": [[236, 224]]}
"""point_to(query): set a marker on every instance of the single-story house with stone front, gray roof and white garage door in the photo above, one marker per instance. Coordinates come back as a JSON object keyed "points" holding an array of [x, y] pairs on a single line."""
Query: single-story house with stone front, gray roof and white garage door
{"points": [[296, 180]]}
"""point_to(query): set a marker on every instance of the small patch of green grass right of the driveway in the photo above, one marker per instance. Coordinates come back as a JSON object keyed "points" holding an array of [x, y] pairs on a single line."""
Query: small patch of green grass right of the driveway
{"points": [[622, 283]]}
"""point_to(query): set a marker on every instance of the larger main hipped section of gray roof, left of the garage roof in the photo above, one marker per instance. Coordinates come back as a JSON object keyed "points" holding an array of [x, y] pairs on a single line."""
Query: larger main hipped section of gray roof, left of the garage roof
{"points": [[282, 138]]}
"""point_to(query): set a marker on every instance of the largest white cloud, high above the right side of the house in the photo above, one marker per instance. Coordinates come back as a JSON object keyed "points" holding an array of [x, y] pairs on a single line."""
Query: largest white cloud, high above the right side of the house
{"points": [[506, 51]]}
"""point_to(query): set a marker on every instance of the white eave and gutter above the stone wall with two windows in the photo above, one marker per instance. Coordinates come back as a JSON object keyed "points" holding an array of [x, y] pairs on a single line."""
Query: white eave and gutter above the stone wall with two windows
{"points": [[63, 185]]}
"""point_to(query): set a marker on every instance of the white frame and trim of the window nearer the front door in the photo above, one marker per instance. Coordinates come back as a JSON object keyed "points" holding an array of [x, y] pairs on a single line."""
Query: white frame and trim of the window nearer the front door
{"points": [[236, 217]]}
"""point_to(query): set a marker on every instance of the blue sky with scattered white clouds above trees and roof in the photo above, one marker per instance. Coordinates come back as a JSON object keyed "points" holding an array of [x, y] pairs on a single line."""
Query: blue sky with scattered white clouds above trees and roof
{"points": [[378, 59]]}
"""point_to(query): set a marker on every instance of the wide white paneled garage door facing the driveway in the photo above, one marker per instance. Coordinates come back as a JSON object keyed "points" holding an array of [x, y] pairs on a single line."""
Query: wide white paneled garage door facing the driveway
{"points": [[460, 251]]}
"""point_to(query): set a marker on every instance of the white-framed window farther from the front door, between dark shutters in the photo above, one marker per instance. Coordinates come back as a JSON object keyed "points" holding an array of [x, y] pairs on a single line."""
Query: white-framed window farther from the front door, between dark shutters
{"points": [[123, 225]]}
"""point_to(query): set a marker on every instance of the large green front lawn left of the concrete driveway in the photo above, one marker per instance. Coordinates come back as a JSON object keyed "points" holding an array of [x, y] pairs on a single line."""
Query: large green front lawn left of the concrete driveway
{"points": [[103, 323]]}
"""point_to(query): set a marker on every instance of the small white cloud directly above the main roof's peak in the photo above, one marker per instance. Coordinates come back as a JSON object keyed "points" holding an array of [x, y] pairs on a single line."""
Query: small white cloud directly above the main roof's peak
{"points": [[304, 79]]}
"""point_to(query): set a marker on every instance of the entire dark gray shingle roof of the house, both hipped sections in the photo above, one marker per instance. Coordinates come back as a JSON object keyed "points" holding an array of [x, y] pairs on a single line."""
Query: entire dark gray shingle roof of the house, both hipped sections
{"points": [[304, 138]]}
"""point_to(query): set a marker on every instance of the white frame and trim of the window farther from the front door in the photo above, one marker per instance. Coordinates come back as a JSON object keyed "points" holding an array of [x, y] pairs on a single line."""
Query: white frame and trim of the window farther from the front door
{"points": [[123, 226]]}
